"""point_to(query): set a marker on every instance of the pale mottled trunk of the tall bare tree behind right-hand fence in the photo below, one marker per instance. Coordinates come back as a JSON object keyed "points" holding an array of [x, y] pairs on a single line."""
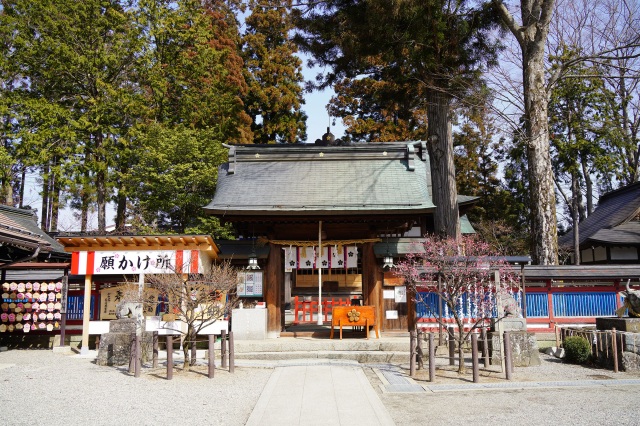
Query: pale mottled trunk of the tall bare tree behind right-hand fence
{"points": [[542, 194]]}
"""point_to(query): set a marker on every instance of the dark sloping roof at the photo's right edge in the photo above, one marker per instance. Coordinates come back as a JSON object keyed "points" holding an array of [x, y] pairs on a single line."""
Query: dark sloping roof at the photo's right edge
{"points": [[614, 221]]}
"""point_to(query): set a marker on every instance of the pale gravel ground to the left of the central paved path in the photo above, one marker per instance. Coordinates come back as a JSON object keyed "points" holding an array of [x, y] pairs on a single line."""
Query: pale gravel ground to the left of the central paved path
{"points": [[39, 387]]}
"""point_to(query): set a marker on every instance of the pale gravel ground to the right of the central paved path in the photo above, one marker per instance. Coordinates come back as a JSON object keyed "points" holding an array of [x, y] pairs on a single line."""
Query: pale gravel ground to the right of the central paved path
{"points": [[589, 405]]}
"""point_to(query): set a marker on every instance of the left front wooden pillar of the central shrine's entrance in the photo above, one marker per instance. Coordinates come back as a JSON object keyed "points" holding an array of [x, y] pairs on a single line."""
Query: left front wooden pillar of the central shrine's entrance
{"points": [[274, 279]]}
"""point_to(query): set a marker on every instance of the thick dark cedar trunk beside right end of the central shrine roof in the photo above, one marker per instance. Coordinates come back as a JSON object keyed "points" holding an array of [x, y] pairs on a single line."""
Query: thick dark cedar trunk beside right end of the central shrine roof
{"points": [[440, 144]]}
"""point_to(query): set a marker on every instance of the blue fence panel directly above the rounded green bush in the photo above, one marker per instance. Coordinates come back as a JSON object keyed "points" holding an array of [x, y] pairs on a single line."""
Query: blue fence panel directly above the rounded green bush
{"points": [[584, 304]]}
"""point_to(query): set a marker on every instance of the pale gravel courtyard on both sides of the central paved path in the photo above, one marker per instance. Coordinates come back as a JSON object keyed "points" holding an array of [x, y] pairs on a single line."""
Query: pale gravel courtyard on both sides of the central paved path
{"points": [[42, 388]]}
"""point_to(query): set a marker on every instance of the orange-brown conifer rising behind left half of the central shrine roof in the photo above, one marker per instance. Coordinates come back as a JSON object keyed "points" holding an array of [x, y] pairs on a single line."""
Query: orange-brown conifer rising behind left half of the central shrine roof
{"points": [[273, 73]]}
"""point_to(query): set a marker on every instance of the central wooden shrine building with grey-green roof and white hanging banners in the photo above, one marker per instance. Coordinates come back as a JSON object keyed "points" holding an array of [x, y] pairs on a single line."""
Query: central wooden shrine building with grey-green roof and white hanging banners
{"points": [[358, 203]]}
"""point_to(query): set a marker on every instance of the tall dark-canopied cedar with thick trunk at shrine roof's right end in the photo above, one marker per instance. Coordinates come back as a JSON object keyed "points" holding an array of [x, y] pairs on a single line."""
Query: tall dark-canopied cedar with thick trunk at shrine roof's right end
{"points": [[438, 44]]}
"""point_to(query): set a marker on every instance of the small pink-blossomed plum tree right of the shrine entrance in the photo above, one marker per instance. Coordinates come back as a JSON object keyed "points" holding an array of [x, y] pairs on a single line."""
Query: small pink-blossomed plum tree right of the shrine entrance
{"points": [[464, 277]]}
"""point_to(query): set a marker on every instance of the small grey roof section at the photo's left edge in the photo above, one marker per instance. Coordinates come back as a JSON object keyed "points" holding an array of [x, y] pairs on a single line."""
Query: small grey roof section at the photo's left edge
{"points": [[18, 227]]}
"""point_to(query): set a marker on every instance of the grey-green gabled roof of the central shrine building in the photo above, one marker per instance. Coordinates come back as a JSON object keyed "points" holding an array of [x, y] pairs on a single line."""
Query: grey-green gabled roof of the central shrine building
{"points": [[310, 179]]}
